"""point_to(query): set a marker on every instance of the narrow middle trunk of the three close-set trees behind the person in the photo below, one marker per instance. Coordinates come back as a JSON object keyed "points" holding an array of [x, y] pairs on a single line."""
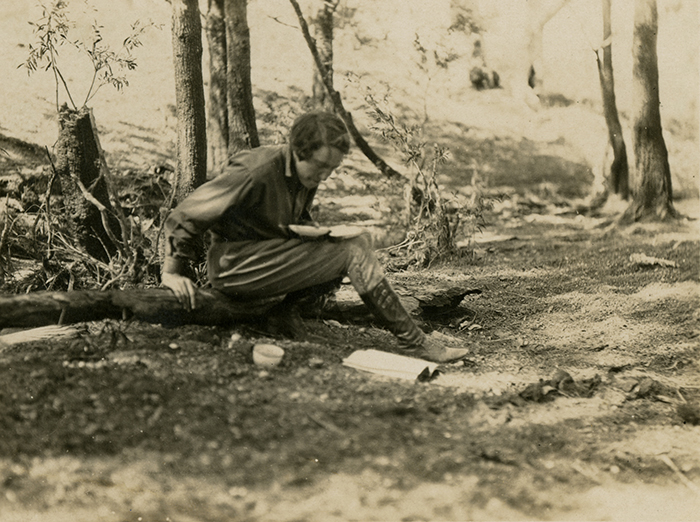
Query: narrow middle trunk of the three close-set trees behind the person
{"points": [[217, 120]]}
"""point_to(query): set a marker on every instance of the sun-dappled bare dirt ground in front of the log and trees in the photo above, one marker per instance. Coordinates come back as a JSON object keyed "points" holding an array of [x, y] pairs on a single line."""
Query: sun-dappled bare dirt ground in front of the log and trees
{"points": [[579, 401]]}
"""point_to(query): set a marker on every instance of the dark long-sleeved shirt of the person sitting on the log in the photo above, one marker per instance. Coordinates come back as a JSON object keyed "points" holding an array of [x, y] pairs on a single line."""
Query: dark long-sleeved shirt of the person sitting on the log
{"points": [[256, 198]]}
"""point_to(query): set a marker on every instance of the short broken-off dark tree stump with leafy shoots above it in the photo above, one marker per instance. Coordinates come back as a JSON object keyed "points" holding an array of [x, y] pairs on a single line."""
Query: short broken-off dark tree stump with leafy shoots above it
{"points": [[85, 193]]}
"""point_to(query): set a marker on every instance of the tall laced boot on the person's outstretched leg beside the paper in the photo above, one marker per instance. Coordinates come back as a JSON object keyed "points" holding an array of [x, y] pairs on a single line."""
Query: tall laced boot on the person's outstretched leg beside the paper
{"points": [[385, 305]]}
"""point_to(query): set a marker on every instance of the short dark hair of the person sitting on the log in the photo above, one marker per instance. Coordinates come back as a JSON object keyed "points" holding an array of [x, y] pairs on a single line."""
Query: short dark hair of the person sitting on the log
{"points": [[314, 130]]}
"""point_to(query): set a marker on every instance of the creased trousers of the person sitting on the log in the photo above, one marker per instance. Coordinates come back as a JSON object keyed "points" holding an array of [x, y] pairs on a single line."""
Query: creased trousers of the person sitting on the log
{"points": [[275, 267]]}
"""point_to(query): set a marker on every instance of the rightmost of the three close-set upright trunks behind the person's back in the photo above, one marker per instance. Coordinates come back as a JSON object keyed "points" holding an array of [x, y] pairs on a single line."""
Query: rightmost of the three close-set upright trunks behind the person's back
{"points": [[243, 132]]}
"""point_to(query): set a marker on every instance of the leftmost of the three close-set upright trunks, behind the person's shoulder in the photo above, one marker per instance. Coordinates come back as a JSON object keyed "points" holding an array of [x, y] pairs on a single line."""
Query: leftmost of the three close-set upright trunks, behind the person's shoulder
{"points": [[189, 97]]}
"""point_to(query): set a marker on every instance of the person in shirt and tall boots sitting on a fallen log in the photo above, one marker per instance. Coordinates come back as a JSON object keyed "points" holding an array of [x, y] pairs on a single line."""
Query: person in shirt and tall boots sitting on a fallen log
{"points": [[253, 254]]}
